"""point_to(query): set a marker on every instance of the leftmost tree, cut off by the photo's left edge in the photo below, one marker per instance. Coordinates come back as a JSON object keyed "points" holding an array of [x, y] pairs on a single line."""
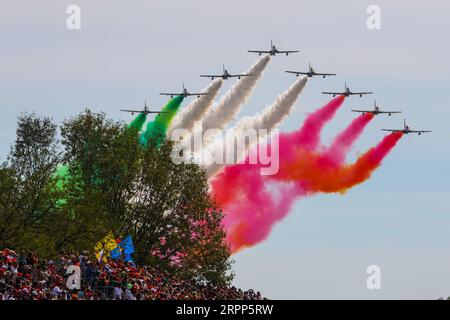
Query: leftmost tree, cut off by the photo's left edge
{"points": [[28, 197]]}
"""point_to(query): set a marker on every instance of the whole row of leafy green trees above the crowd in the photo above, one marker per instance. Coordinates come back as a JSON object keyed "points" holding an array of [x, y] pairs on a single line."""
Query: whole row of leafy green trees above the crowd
{"points": [[66, 192]]}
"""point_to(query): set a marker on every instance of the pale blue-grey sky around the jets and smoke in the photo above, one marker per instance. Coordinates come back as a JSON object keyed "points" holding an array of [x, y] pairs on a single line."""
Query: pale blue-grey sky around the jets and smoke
{"points": [[125, 53]]}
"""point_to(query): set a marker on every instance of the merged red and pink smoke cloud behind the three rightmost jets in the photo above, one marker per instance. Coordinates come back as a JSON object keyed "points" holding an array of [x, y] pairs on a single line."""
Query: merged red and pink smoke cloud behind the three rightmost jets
{"points": [[253, 203]]}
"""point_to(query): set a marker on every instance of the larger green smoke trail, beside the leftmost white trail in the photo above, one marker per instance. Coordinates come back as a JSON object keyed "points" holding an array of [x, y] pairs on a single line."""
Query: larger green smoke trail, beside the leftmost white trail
{"points": [[157, 129]]}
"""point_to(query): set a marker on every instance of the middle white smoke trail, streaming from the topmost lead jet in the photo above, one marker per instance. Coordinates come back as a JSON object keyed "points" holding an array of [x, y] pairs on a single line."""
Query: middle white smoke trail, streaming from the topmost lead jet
{"points": [[228, 106]]}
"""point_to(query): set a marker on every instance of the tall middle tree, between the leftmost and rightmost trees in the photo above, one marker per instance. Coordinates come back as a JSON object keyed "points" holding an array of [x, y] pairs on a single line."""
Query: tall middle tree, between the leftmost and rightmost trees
{"points": [[93, 150]]}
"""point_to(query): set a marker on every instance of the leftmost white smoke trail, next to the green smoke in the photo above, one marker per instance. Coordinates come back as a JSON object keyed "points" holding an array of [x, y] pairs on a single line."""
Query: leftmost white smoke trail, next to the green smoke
{"points": [[196, 110]]}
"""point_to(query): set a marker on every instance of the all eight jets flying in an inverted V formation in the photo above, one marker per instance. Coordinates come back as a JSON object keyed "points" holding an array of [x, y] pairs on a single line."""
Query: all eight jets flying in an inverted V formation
{"points": [[273, 51]]}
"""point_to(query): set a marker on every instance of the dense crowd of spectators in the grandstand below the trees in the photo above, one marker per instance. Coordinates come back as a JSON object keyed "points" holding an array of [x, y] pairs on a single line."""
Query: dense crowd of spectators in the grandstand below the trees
{"points": [[26, 277]]}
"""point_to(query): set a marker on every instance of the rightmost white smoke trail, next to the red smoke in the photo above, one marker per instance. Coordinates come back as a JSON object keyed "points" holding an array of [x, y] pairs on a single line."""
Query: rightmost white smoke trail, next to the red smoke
{"points": [[261, 124]]}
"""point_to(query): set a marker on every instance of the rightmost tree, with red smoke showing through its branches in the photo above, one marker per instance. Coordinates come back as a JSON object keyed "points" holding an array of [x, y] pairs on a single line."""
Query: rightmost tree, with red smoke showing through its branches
{"points": [[171, 213]]}
